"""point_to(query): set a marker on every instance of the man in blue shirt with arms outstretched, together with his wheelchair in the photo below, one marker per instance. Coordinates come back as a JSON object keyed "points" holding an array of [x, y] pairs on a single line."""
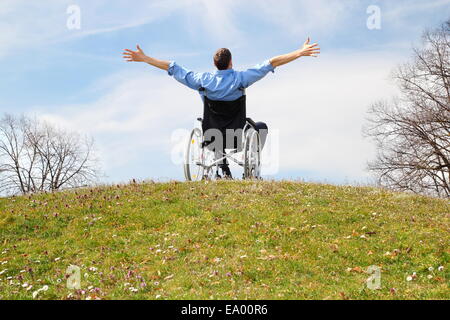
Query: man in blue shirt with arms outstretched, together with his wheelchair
{"points": [[223, 95]]}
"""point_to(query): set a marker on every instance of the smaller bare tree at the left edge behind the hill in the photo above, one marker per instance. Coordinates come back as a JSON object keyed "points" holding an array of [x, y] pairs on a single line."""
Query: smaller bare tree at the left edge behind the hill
{"points": [[35, 156]]}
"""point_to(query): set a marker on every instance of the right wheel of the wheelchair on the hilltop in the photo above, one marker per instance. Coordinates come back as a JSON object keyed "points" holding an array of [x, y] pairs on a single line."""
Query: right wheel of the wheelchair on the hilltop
{"points": [[252, 155]]}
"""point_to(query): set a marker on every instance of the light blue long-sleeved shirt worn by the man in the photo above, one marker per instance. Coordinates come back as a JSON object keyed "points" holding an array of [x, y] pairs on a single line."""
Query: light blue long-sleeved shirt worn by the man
{"points": [[221, 85]]}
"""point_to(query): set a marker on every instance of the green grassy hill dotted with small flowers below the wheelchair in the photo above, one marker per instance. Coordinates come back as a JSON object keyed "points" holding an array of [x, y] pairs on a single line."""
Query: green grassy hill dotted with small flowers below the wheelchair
{"points": [[225, 240]]}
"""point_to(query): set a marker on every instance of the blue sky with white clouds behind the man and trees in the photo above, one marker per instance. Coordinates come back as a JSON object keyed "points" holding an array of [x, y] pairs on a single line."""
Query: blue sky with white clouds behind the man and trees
{"points": [[77, 79]]}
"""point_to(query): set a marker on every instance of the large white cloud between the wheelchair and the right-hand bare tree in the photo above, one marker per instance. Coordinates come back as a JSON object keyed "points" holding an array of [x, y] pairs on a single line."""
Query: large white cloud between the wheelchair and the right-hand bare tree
{"points": [[320, 105]]}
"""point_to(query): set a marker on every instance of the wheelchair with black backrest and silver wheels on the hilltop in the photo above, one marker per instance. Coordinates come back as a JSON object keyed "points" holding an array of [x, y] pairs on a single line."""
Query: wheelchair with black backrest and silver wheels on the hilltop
{"points": [[202, 158]]}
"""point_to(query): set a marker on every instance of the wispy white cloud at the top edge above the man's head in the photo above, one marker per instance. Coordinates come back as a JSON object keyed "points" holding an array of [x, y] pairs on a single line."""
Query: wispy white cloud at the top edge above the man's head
{"points": [[219, 19]]}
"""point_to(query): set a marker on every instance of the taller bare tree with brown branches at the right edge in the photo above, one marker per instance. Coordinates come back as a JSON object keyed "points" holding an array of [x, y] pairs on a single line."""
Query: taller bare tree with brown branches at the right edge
{"points": [[412, 131]]}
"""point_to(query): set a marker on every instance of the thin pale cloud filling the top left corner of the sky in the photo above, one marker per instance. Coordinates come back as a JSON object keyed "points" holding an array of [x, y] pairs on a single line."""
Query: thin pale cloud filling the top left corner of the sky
{"points": [[26, 24]]}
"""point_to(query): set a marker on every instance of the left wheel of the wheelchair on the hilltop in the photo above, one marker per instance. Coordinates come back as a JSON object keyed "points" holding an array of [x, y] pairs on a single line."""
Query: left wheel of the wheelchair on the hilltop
{"points": [[193, 159]]}
